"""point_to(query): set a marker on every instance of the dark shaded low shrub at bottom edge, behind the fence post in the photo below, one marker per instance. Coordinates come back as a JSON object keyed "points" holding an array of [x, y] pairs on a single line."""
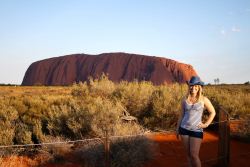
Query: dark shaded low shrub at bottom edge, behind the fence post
{"points": [[126, 152]]}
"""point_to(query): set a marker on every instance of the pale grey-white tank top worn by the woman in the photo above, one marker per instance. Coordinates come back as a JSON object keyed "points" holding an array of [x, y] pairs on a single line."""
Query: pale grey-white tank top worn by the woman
{"points": [[192, 116]]}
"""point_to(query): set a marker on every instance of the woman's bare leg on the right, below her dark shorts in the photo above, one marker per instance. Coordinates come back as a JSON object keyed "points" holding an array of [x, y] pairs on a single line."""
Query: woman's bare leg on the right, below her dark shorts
{"points": [[195, 144]]}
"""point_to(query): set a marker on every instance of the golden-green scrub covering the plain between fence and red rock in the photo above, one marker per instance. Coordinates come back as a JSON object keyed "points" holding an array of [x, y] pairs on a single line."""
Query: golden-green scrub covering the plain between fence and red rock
{"points": [[41, 114]]}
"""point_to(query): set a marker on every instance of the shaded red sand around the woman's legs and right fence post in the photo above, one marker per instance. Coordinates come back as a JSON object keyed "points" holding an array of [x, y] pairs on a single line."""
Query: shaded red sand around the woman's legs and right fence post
{"points": [[170, 152]]}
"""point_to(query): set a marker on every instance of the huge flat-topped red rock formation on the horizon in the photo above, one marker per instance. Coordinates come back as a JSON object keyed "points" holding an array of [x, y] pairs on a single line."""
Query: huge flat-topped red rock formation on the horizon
{"points": [[68, 69]]}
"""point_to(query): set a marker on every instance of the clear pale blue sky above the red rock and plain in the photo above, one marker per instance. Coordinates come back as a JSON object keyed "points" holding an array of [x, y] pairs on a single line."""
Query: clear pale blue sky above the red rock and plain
{"points": [[211, 35]]}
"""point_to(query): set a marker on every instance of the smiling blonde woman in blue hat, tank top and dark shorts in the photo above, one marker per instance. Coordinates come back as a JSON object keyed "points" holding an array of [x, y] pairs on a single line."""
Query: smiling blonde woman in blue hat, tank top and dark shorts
{"points": [[190, 126]]}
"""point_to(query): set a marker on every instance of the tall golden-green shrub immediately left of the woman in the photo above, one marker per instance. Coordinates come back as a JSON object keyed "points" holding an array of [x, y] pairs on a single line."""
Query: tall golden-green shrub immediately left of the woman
{"points": [[164, 107]]}
